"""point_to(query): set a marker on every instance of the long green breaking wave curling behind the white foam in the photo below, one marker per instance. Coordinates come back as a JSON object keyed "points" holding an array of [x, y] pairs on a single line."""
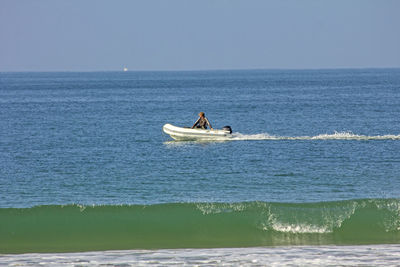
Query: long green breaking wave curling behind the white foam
{"points": [[198, 225]]}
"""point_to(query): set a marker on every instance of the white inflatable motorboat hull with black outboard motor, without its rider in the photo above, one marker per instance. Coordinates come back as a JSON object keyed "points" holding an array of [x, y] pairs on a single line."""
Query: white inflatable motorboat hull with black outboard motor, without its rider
{"points": [[187, 133]]}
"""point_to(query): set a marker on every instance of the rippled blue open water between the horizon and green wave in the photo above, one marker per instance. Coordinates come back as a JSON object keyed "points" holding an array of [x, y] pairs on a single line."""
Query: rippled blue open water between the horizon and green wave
{"points": [[96, 138]]}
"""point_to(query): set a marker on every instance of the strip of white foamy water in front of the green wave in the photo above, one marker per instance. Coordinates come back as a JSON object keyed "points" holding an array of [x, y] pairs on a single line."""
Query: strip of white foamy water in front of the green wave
{"points": [[370, 255]]}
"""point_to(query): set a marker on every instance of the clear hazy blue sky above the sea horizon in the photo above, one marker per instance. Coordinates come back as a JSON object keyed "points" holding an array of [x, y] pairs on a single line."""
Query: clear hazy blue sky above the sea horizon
{"points": [[100, 35]]}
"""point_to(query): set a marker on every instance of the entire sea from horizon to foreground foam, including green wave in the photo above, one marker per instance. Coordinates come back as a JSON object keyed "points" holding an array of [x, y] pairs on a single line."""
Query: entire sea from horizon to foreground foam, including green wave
{"points": [[310, 176]]}
